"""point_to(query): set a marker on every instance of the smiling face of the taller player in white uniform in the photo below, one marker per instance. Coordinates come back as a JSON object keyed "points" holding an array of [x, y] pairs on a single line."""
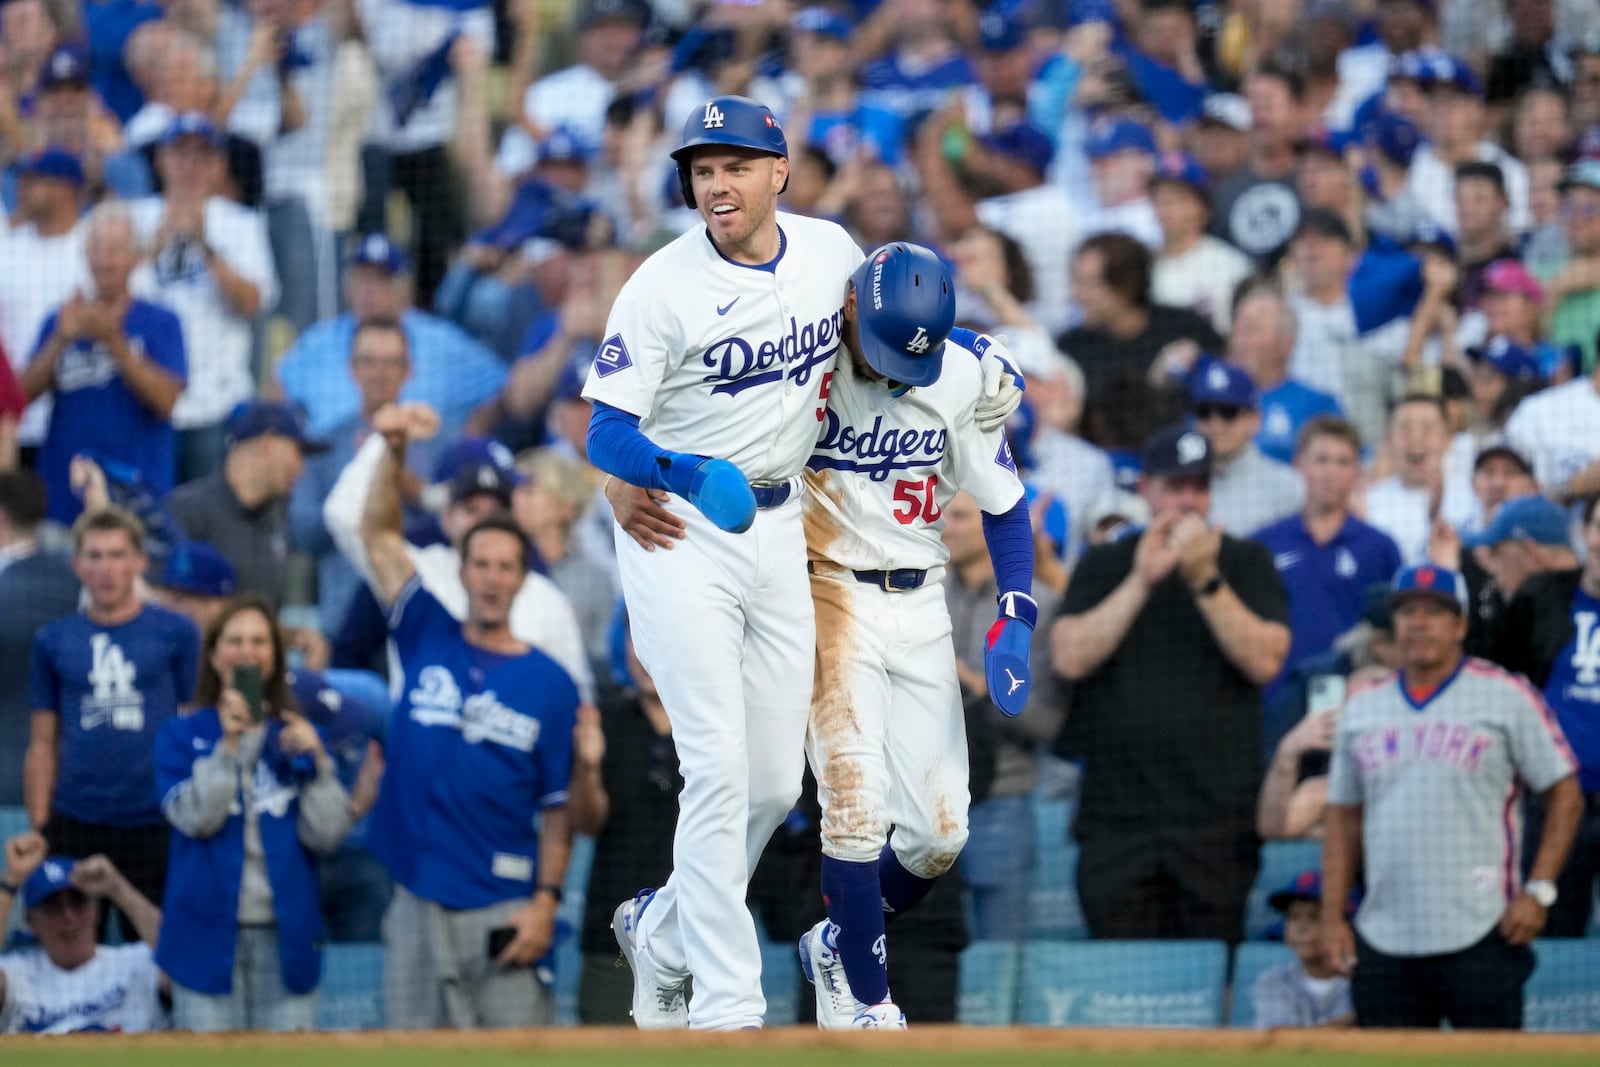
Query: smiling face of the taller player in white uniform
{"points": [[737, 193]]}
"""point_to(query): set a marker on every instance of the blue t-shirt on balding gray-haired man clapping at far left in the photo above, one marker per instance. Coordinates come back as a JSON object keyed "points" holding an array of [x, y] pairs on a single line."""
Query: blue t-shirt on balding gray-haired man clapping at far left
{"points": [[97, 412]]}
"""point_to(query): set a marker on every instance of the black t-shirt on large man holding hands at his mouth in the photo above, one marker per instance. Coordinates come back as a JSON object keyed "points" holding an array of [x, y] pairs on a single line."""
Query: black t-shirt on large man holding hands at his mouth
{"points": [[1169, 730]]}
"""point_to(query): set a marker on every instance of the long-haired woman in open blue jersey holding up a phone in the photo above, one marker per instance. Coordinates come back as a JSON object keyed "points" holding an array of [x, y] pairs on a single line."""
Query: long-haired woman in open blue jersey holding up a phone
{"points": [[254, 799]]}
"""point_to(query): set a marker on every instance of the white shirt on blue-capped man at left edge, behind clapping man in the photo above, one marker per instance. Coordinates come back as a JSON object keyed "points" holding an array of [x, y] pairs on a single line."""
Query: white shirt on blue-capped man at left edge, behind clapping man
{"points": [[38, 276]]}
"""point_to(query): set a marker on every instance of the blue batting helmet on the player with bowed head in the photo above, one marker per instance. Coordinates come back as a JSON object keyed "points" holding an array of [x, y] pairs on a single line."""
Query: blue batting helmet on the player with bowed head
{"points": [[905, 311]]}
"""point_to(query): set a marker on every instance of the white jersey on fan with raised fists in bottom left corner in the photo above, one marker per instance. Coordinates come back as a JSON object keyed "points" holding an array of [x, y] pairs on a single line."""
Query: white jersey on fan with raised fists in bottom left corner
{"points": [[116, 991]]}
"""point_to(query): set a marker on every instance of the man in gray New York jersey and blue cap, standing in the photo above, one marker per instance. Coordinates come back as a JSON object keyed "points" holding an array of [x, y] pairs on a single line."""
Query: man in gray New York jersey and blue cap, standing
{"points": [[1425, 799]]}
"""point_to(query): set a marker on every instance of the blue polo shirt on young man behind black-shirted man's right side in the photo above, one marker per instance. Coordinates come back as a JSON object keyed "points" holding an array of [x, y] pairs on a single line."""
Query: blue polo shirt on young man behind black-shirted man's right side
{"points": [[1327, 583]]}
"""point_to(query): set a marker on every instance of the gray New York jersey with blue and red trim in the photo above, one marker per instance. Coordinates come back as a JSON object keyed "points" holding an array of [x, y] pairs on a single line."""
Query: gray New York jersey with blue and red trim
{"points": [[1441, 789]]}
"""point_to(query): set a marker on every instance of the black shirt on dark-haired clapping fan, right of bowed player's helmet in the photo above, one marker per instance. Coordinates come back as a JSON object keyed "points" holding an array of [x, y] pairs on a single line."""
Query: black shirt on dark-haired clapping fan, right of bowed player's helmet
{"points": [[1122, 409]]}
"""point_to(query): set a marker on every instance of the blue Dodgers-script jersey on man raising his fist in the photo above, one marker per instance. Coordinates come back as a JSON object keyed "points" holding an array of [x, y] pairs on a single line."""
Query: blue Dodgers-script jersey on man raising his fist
{"points": [[478, 746]]}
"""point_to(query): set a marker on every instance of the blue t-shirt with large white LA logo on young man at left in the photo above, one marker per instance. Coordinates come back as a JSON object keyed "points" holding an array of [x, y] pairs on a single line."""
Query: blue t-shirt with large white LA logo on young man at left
{"points": [[113, 687]]}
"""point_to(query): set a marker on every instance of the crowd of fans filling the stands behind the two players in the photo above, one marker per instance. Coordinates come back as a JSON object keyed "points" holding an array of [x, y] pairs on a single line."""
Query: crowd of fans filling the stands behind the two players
{"points": [[1306, 292]]}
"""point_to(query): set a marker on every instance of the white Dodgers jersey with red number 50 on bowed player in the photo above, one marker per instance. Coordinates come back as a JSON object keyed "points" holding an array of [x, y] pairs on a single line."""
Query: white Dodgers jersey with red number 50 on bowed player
{"points": [[886, 468]]}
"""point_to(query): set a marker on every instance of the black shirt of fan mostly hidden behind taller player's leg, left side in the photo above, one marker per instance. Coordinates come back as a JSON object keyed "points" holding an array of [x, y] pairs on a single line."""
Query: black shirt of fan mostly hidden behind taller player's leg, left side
{"points": [[634, 850]]}
